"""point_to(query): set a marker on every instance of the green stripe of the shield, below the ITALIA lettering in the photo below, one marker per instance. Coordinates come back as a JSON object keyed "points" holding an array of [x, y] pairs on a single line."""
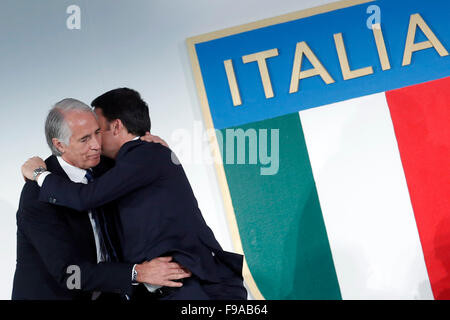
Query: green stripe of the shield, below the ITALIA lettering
{"points": [[280, 220]]}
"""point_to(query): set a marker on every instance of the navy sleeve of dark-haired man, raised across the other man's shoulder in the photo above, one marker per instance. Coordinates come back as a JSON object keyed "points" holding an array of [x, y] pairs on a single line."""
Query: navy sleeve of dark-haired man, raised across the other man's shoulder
{"points": [[125, 177]]}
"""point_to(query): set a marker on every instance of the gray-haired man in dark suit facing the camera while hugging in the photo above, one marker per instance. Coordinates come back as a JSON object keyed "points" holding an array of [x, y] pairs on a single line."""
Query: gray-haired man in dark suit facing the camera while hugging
{"points": [[59, 251]]}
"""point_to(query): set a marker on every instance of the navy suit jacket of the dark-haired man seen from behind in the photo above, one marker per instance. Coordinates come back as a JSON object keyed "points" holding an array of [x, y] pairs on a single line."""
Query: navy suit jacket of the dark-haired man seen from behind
{"points": [[158, 212]]}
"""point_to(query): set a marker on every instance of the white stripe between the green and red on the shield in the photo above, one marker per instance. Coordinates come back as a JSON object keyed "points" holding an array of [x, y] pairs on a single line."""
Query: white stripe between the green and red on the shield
{"points": [[365, 201]]}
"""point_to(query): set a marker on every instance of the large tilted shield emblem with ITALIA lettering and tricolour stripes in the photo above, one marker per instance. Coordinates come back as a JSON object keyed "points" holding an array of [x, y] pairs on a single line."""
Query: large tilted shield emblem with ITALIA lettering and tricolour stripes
{"points": [[334, 139]]}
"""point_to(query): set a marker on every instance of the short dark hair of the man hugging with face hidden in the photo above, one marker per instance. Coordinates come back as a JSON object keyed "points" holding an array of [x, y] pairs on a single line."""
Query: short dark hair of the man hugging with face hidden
{"points": [[127, 105]]}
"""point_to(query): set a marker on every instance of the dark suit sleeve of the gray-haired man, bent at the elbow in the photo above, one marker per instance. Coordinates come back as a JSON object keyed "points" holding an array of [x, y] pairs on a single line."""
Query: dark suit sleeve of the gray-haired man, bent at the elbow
{"points": [[42, 225]]}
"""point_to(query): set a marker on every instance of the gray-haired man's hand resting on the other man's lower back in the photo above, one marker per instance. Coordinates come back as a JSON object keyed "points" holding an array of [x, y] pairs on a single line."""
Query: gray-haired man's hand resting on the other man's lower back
{"points": [[161, 272]]}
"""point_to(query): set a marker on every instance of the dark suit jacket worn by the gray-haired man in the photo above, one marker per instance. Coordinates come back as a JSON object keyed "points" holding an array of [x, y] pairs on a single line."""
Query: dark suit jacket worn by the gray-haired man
{"points": [[51, 238]]}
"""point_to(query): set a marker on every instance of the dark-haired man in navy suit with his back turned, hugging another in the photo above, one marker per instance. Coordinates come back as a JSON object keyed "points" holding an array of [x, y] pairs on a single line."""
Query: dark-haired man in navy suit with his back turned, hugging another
{"points": [[158, 211]]}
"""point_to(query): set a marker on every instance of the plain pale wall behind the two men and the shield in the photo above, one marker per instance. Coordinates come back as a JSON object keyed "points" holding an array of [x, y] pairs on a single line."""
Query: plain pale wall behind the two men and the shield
{"points": [[139, 44]]}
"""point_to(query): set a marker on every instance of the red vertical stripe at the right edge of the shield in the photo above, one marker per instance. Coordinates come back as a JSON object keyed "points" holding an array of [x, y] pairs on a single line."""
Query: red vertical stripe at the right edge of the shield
{"points": [[421, 118]]}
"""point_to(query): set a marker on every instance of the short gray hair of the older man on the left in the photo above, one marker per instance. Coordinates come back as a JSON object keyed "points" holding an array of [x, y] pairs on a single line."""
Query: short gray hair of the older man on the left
{"points": [[56, 125]]}
